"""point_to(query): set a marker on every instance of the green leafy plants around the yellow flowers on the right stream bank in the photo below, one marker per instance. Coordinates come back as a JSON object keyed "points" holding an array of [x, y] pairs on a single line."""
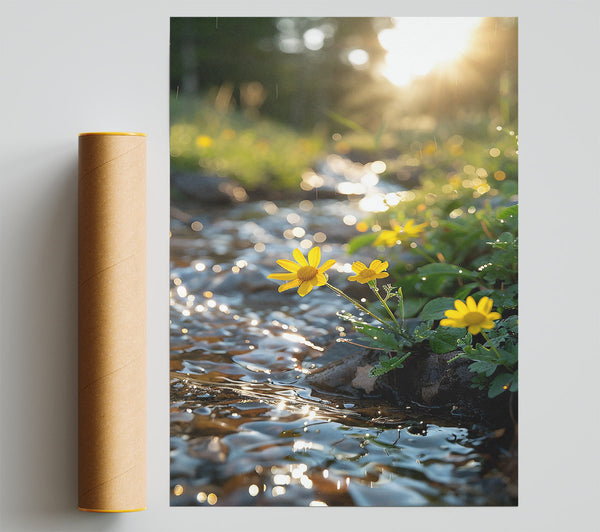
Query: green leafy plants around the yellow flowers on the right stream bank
{"points": [[490, 271]]}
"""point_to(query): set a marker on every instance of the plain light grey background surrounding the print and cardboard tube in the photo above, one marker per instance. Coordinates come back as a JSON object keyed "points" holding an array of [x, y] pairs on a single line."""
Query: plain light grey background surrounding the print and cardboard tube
{"points": [[69, 67]]}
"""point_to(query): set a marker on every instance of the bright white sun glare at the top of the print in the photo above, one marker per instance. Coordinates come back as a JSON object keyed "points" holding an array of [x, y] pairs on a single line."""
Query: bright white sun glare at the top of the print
{"points": [[416, 45]]}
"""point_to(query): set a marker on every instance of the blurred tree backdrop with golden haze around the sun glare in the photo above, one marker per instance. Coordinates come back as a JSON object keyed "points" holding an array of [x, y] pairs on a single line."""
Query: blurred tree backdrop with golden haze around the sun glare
{"points": [[304, 71]]}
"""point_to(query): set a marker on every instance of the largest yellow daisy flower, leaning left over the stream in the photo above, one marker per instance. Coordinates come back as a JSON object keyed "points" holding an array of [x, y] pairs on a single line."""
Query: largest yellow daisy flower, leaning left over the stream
{"points": [[302, 273]]}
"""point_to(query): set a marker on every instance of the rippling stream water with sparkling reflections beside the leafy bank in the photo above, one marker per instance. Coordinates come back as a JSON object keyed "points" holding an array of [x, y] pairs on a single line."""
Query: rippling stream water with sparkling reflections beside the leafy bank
{"points": [[246, 426]]}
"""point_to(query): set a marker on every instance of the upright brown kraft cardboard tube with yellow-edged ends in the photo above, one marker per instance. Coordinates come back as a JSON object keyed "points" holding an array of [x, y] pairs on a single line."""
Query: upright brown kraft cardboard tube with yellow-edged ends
{"points": [[112, 322]]}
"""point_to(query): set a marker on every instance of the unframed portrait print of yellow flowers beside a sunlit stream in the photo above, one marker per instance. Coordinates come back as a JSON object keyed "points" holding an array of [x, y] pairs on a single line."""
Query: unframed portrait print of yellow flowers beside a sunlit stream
{"points": [[343, 261]]}
